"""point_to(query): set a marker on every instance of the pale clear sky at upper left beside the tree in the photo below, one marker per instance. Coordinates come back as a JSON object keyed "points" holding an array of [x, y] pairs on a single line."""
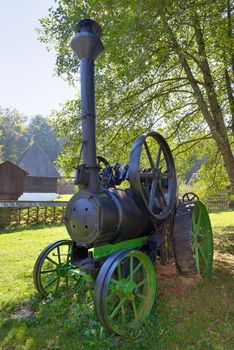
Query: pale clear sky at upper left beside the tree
{"points": [[27, 81]]}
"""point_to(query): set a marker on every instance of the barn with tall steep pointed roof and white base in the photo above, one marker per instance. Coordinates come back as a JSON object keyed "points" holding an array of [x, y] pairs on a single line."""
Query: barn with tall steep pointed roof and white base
{"points": [[41, 183]]}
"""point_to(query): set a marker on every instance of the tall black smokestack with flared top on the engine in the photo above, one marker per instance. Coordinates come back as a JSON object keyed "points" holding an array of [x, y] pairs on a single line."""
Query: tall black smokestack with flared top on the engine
{"points": [[87, 45]]}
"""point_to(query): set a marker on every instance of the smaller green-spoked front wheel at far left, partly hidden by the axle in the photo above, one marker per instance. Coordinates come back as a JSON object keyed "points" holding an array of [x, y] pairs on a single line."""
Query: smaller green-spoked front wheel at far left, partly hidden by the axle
{"points": [[51, 270]]}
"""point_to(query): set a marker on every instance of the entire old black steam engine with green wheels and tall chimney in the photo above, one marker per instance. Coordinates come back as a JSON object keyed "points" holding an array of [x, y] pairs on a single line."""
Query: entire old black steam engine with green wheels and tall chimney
{"points": [[116, 234]]}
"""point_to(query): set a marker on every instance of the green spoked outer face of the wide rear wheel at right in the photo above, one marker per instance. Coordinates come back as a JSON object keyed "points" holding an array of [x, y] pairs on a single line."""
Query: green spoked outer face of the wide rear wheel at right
{"points": [[202, 240]]}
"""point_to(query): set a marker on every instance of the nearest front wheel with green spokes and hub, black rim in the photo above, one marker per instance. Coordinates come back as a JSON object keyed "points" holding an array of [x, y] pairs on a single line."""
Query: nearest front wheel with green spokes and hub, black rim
{"points": [[125, 291]]}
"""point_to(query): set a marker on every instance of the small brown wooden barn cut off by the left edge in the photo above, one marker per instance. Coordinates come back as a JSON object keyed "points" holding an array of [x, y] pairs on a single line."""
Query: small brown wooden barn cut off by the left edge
{"points": [[12, 180]]}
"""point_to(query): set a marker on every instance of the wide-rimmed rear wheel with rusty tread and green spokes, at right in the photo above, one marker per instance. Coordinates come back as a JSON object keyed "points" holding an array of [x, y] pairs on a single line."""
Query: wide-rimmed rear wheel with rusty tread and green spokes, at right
{"points": [[193, 240]]}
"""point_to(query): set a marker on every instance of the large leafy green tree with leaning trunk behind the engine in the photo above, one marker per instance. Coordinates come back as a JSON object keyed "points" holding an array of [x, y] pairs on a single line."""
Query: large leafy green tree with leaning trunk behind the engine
{"points": [[168, 65]]}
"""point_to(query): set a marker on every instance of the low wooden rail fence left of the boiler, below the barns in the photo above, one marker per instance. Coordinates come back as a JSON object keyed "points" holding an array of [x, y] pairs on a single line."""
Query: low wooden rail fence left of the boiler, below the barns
{"points": [[14, 213]]}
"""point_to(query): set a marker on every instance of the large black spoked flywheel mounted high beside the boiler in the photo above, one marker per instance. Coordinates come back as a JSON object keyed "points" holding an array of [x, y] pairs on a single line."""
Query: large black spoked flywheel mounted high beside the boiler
{"points": [[152, 175]]}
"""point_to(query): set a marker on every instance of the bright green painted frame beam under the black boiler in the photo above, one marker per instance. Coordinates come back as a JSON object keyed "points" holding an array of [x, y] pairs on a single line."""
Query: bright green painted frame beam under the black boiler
{"points": [[108, 249]]}
